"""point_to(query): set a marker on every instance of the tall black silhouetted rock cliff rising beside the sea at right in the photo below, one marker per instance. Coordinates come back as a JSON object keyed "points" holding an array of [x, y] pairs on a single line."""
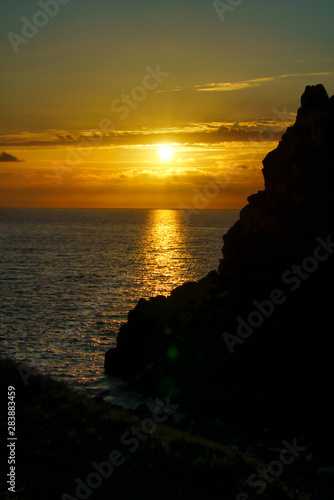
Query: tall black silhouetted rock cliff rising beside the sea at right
{"points": [[257, 333]]}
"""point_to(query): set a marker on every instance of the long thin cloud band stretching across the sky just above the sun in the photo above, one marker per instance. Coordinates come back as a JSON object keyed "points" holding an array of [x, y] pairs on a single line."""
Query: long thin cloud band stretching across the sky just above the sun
{"points": [[191, 134]]}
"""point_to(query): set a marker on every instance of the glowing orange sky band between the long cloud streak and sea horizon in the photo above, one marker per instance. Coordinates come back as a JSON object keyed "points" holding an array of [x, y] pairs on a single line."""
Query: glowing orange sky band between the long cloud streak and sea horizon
{"points": [[197, 176]]}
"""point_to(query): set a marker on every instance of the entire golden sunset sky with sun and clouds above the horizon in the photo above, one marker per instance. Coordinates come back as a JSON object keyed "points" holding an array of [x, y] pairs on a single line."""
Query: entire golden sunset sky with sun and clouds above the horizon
{"points": [[92, 90]]}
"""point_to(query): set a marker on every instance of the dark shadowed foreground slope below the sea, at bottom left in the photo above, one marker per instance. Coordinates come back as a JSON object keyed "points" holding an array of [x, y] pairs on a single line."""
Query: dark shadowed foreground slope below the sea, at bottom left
{"points": [[66, 439]]}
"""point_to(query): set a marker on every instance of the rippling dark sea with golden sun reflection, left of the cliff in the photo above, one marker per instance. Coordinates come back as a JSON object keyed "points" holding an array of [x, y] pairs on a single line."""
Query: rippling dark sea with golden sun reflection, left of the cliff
{"points": [[70, 276]]}
